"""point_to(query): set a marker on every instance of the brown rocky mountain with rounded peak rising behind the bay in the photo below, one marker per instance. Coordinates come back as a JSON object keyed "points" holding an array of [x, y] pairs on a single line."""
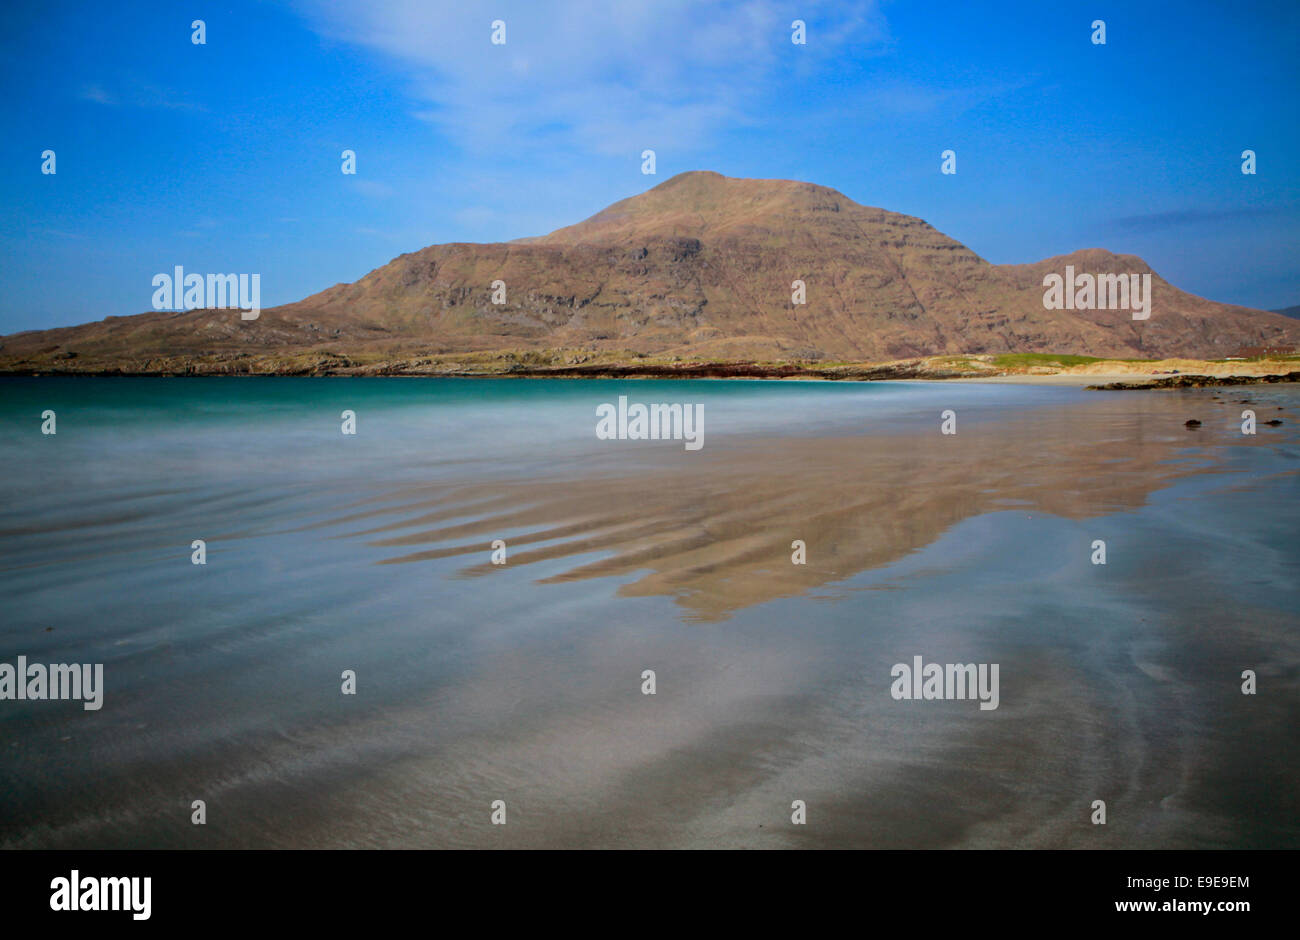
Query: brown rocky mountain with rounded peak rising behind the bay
{"points": [[699, 267]]}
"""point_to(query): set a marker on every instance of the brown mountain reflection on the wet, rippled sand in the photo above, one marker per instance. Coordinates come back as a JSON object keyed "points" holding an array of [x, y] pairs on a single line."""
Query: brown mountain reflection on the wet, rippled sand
{"points": [[716, 530]]}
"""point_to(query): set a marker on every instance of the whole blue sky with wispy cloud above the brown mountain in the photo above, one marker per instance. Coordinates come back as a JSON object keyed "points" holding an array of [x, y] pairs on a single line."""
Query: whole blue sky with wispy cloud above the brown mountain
{"points": [[227, 157]]}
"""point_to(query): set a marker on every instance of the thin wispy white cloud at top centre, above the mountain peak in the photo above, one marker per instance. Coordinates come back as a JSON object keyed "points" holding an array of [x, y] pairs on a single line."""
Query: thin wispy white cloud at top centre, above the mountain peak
{"points": [[609, 79]]}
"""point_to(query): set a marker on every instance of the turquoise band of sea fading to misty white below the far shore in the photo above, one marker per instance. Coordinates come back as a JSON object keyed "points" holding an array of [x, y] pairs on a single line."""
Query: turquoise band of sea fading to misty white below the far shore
{"points": [[424, 426]]}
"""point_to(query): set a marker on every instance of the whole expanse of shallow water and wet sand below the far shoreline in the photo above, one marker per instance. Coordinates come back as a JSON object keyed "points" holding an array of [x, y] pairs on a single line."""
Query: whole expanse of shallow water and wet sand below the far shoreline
{"points": [[523, 682]]}
